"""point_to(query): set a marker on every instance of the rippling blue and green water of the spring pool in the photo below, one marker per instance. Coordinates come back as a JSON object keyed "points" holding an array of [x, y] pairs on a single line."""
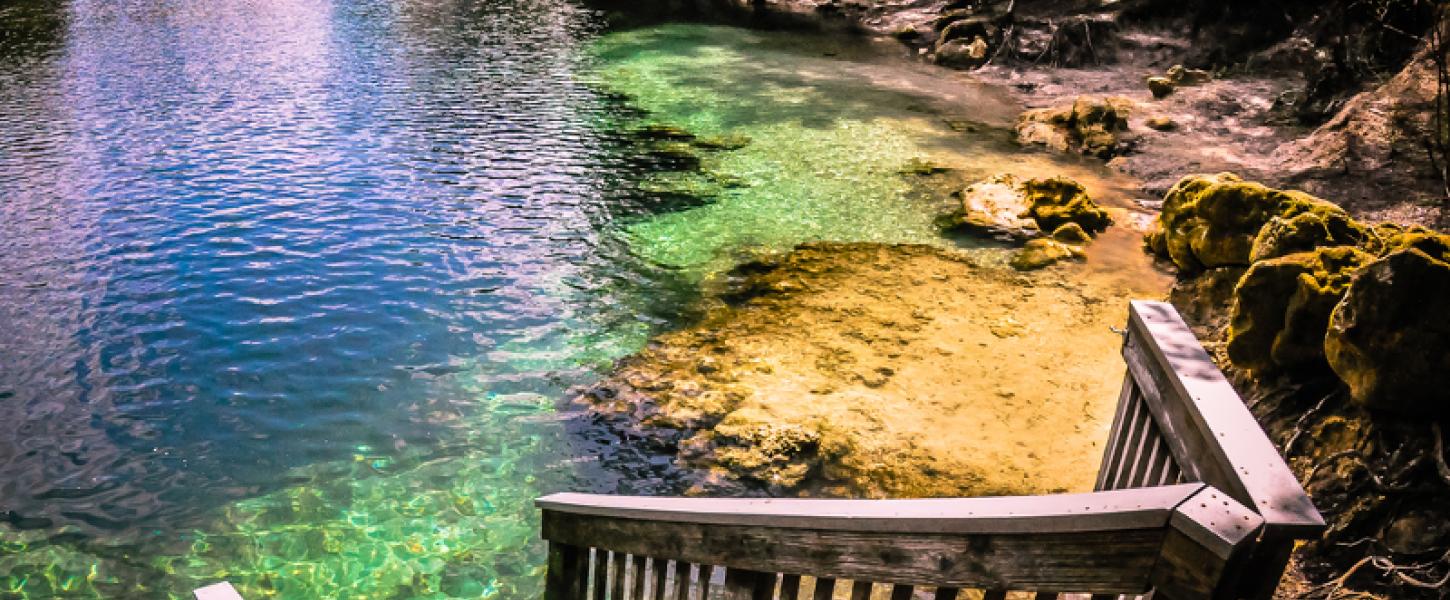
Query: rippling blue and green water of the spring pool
{"points": [[289, 291]]}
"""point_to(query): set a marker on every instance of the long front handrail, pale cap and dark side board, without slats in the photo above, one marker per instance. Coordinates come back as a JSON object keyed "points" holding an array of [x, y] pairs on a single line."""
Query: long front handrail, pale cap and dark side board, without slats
{"points": [[1110, 543]]}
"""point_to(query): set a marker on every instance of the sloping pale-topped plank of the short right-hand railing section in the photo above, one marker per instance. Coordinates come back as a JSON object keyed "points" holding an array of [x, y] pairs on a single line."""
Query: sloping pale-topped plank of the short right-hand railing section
{"points": [[1196, 393]]}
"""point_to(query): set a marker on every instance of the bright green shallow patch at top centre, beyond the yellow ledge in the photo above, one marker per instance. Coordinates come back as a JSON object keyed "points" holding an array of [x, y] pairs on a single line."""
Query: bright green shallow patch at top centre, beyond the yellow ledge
{"points": [[814, 153]]}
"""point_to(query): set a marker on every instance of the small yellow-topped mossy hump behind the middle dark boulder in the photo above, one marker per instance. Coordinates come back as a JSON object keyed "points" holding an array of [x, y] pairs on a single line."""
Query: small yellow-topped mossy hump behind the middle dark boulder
{"points": [[1323, 225]]}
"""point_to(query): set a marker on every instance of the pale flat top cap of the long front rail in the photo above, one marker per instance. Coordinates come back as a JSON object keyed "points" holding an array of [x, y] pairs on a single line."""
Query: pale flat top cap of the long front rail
{"points": [[1059, 514]]}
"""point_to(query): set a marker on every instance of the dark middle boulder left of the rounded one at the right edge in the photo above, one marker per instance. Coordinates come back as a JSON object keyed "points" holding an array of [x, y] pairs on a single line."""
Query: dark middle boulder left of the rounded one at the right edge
{"points": [[1283, 309]]}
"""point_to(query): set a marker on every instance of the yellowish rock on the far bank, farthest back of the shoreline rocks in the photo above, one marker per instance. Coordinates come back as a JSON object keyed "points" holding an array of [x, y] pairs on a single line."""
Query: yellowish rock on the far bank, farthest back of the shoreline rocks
{"points": [[1091, 125]]}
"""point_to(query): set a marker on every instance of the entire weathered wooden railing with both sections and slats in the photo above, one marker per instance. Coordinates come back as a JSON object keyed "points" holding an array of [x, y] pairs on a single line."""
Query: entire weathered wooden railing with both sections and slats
{"points": [[1193, 502]]}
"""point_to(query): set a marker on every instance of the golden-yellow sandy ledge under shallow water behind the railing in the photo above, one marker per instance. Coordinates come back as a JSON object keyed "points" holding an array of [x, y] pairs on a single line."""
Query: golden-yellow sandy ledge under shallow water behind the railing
{"points": [[892, 370]]}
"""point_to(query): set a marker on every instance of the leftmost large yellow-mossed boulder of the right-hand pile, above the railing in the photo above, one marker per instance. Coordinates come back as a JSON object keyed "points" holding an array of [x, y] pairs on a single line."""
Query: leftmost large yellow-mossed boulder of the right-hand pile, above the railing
{"points": [[1214, 221]]}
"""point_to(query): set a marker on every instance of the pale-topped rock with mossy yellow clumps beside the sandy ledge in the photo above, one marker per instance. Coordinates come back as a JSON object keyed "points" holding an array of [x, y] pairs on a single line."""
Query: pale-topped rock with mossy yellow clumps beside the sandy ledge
{"points": [[1023, 211]]}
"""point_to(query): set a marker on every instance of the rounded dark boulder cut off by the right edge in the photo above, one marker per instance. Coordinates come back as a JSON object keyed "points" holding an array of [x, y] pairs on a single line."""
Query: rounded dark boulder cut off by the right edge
{"points": [[1388, 338]]}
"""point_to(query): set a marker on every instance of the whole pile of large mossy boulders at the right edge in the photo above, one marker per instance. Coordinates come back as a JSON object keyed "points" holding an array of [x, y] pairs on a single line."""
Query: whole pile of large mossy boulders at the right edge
{"points": [[1319, 289]]}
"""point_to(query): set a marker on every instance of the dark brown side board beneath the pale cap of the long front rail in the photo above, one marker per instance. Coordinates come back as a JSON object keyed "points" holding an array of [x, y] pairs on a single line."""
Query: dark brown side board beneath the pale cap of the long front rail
{"points": [[1114, 562]]}
